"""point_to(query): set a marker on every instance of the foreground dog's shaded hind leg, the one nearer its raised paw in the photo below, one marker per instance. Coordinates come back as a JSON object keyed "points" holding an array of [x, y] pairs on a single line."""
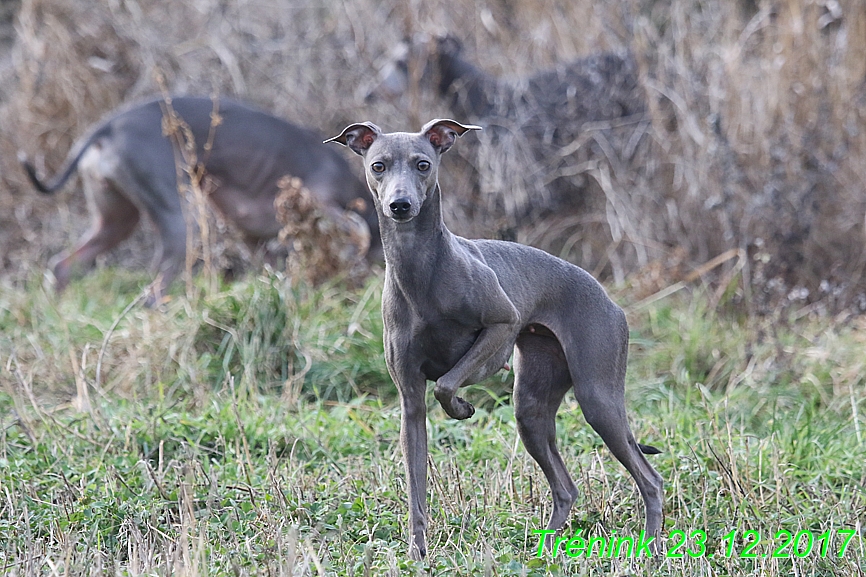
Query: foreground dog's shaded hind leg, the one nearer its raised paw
{"points": [[541, 380]]}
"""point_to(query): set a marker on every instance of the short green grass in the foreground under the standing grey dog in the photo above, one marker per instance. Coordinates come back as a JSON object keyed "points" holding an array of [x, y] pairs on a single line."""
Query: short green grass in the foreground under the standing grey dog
{"points": [[254, 431]]}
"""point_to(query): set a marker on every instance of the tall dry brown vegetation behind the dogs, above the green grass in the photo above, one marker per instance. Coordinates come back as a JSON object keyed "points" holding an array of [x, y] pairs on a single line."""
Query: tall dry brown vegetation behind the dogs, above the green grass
{"points": [[754, 140]]}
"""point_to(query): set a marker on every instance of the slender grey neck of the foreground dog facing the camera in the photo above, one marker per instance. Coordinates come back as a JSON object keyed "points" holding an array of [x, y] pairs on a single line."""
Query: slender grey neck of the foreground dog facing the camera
{"points": [[412, 248]]}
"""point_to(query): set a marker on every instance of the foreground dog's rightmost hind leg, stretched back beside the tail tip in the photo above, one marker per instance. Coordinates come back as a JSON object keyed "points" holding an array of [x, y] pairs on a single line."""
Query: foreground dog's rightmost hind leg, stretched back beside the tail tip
{"points": [[598, 370]]}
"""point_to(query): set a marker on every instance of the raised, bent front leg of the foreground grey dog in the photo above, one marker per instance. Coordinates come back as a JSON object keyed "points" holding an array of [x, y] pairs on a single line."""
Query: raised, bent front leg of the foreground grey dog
{"points": [[491, 340]]}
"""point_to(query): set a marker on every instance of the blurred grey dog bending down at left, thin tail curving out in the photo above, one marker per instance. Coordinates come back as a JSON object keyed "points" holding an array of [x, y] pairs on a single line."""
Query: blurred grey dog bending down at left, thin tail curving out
{"points": [[129, 164]]}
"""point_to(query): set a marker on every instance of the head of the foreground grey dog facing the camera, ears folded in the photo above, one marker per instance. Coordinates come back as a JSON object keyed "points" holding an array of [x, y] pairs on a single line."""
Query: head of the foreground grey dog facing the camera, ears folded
{"points": [[402, 168]]}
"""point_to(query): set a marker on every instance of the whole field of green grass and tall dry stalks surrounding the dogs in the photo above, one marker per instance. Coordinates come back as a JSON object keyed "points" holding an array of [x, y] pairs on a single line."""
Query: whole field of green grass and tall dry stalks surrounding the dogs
{"points": [[251, 429]]}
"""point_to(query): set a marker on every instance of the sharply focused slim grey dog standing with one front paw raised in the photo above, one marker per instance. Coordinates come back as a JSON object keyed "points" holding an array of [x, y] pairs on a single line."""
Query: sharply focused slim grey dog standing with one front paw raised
{"points": [[455, 309]]}
